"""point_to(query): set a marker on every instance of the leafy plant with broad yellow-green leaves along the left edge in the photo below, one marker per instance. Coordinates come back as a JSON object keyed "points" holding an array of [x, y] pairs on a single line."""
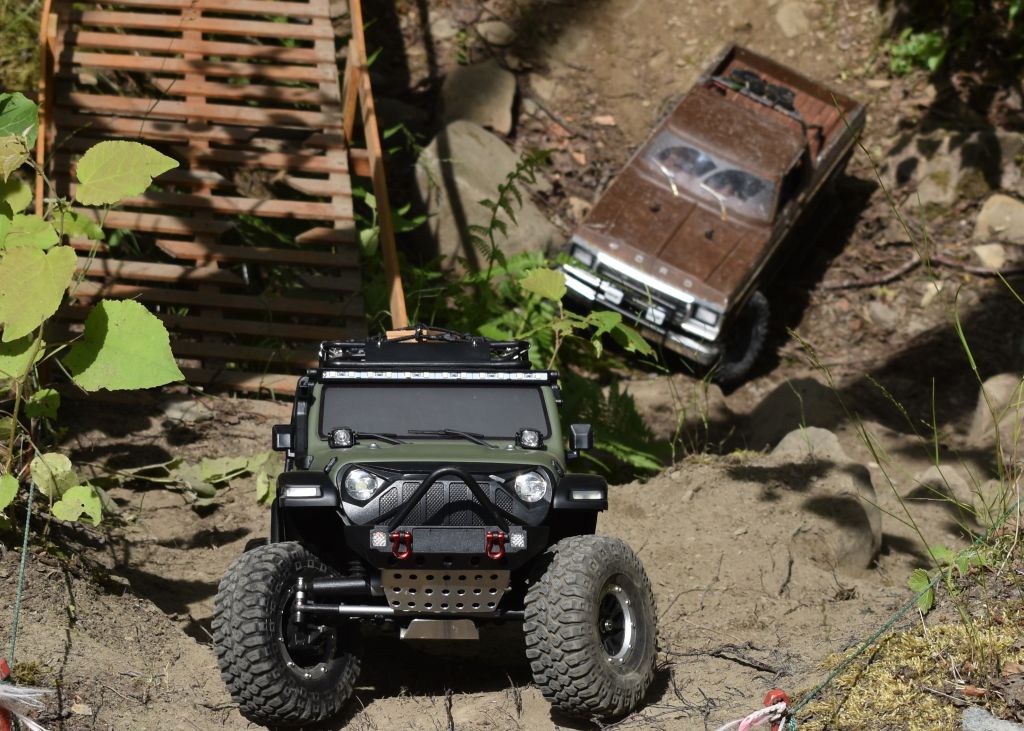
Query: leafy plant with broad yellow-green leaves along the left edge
{"points": [[123, 347]]}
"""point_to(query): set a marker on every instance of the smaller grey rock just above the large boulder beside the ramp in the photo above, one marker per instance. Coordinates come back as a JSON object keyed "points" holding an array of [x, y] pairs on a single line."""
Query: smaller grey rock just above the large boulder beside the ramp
{"points": [[483, 94]]}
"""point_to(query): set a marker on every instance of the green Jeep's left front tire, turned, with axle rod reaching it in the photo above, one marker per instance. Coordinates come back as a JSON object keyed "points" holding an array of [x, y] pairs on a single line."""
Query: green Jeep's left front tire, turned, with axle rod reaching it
{"points": [[271, 687]]}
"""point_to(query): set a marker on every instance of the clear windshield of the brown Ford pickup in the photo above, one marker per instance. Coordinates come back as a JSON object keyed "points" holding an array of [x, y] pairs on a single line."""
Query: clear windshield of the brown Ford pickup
{"points": [[678, 164]]}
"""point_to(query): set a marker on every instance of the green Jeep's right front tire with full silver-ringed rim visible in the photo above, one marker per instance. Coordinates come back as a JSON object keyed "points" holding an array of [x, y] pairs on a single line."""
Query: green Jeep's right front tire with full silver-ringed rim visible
{"points": [[577, 660]]}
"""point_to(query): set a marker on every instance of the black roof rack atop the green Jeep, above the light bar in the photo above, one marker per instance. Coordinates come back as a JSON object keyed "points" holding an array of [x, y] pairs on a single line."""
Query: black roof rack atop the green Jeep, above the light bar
{"points": [[426, 347]]}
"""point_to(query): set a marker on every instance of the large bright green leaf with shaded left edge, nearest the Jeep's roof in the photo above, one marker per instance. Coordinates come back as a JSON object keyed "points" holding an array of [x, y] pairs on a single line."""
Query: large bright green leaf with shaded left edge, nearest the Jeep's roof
{"points": [[124, 348]]}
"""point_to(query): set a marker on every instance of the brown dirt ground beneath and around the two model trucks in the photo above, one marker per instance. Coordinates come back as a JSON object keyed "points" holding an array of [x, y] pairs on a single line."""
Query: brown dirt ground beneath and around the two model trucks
{"points": [[738, 618]]}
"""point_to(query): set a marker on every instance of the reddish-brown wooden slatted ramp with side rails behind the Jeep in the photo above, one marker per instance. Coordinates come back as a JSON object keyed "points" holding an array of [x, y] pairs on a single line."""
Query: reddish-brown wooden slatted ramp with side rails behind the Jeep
{"points": [[248, 251]]}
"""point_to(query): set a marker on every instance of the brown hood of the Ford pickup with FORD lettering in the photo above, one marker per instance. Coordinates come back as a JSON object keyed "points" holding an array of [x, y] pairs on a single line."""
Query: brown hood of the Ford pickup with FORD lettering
{"points": [[673, 238]]}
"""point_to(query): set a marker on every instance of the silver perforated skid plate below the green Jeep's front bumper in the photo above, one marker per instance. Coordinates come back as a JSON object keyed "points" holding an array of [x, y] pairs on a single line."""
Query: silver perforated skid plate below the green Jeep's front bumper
{"points": [[460, 592]]}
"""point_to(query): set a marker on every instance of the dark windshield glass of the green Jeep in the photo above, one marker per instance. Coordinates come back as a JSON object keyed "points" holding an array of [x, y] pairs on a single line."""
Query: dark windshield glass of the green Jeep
{"points": [[495, 412]]}
